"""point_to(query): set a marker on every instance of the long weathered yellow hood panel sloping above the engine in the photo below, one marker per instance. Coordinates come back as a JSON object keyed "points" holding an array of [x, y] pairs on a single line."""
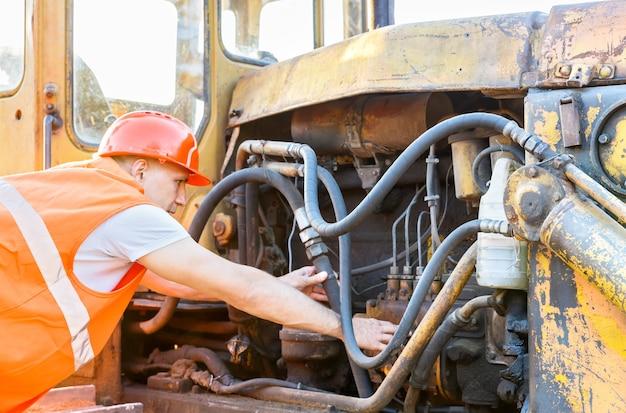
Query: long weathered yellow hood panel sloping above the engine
{"points": [[465, 54]]}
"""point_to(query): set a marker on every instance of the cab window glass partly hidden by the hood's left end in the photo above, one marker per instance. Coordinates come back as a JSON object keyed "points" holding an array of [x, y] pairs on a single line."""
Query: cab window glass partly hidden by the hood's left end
{"points": [[267, 31]]}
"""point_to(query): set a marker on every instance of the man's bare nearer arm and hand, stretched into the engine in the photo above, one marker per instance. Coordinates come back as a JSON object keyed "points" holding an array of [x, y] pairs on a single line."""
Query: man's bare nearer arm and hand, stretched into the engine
{"points": [[256, 292]]}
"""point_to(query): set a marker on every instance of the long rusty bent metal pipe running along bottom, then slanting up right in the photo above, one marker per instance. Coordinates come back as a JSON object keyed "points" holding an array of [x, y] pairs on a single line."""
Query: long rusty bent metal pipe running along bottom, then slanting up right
{"points": [[404, 364]]}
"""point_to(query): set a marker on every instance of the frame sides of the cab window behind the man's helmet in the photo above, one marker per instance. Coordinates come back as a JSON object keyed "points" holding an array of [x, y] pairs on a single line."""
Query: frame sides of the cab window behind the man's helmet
{"points": [[74, 136]]}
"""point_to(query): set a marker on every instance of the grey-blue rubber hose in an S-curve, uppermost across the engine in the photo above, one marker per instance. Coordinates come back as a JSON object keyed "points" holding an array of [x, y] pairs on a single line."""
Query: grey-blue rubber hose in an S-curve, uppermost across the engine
{"points": [[417, 148]]}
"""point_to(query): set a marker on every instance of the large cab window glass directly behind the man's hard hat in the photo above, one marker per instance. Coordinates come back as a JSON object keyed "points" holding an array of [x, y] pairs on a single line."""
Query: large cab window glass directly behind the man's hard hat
{"points": [[152, 60]]}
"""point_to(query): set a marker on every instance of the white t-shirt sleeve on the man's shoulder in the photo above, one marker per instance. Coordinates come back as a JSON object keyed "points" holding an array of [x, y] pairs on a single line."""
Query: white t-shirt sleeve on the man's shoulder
{"points": [[111, 249]]}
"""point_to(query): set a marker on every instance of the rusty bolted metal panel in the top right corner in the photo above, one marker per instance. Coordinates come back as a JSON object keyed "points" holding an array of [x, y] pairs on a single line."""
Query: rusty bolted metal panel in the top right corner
{"points": [[584, 43]]}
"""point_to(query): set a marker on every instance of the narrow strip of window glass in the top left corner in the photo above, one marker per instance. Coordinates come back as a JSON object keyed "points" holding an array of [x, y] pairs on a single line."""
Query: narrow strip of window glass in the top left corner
{"points": [[11, 44]]}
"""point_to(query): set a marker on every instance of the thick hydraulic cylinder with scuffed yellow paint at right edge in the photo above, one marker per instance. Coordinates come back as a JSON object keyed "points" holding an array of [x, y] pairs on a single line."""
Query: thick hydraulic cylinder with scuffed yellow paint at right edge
{"points": [[590, 242]]}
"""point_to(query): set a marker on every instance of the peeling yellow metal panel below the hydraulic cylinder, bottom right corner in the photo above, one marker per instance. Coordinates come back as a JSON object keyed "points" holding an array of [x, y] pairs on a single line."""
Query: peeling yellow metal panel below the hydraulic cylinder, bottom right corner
{"points": [[578, 348]]}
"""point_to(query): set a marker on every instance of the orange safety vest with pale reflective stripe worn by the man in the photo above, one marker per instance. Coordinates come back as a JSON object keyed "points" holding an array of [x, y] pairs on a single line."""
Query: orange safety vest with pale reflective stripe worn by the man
{"points": [[51, 324]]}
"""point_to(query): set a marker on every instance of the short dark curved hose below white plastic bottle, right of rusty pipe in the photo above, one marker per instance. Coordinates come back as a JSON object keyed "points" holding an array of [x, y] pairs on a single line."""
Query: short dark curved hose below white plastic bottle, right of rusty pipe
{"points": [[450, 326]]}
